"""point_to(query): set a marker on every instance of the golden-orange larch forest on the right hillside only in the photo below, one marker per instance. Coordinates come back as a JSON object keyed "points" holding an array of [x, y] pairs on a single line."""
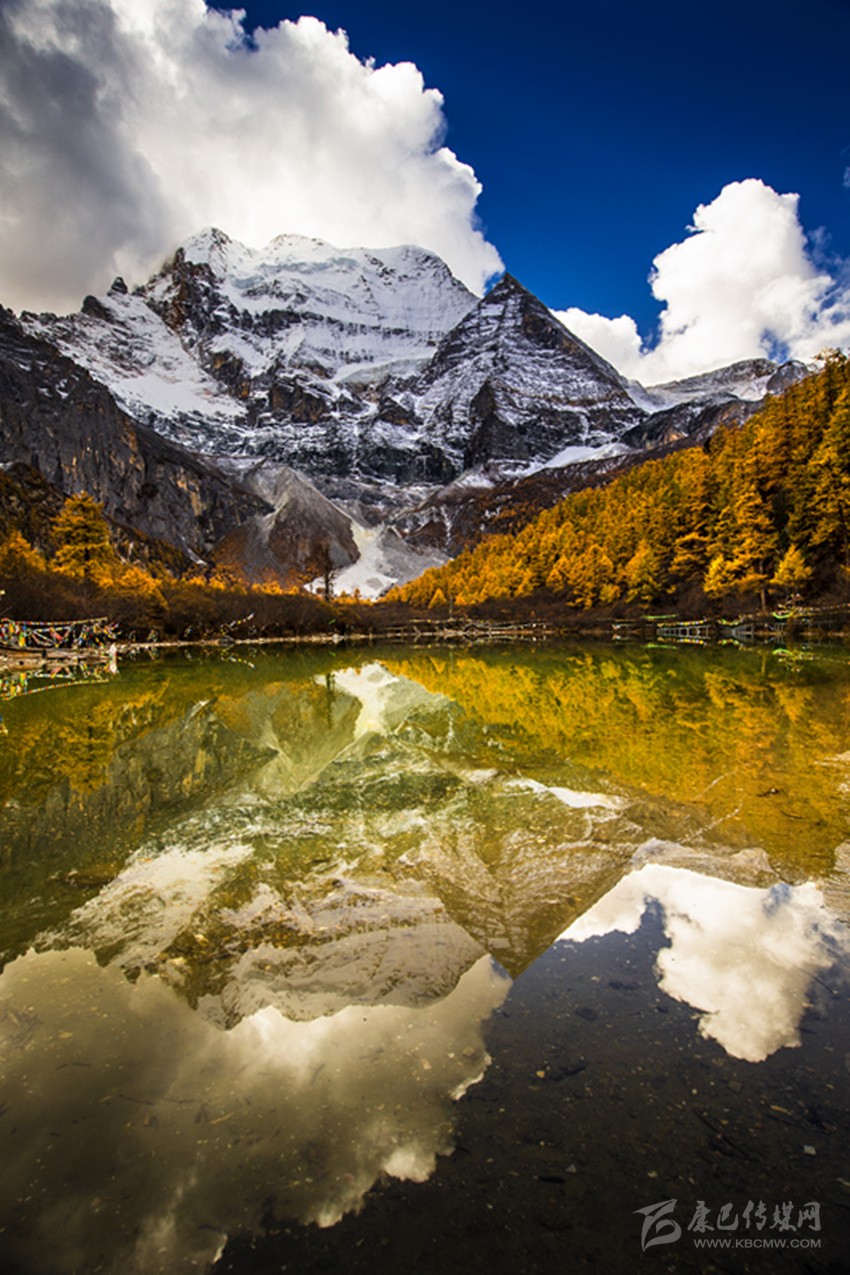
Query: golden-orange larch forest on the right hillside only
{"points": [[756, 514]]}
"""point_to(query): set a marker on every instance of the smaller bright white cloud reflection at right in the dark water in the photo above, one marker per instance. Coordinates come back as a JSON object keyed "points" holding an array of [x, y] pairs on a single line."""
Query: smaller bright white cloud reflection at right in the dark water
{"points": [[744, 957]]}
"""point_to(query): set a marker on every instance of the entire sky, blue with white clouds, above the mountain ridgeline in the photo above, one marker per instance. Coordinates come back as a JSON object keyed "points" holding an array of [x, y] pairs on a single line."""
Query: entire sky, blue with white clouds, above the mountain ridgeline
{"points": [[580, 146]]}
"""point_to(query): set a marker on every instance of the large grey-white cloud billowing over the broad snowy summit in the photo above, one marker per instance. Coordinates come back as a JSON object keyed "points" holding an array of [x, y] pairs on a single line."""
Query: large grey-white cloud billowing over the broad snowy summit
{"points": [[127, 127]]}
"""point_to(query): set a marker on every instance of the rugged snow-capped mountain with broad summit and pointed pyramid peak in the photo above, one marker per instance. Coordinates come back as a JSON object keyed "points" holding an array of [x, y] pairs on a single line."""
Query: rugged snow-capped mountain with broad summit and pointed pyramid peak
{"points": [[347, 390]]}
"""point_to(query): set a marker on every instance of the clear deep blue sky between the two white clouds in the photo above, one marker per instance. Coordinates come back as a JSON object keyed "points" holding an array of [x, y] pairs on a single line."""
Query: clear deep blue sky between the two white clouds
{"points": [[597, 129]]}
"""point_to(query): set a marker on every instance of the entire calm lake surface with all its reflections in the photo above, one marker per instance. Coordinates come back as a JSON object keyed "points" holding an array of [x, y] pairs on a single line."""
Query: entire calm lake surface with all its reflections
{"points": [[396, 959]]}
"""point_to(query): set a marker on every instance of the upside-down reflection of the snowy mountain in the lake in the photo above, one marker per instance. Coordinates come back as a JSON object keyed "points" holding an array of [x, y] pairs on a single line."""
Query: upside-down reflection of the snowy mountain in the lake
{"points": [[365, 864]]}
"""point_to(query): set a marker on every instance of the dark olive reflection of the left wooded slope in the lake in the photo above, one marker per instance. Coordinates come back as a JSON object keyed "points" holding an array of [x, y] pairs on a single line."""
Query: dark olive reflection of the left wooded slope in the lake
{"points": [[80, 792]]}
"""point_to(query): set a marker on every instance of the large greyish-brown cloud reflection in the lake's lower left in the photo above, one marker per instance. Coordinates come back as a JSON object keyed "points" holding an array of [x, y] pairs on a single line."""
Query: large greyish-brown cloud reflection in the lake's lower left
{"points": [[131, 1105]]}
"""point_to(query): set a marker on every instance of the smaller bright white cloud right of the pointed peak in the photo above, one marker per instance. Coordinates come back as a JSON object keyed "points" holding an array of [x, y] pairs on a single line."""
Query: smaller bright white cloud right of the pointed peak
{"points": [[742, 285]]}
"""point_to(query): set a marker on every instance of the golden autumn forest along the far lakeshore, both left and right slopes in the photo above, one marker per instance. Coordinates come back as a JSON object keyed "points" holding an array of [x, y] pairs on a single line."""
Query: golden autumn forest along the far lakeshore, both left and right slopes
{"points": [[759, 514]]}
